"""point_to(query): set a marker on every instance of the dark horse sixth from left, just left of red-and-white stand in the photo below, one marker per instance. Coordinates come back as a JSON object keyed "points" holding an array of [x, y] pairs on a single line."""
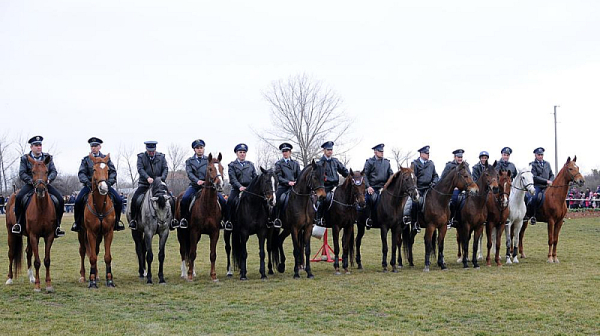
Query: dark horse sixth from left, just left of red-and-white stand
{"points": [[298, 217]]}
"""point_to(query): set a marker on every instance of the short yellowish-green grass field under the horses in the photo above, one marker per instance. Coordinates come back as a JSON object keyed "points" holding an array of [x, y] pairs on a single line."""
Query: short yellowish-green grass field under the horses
{"points": [[532, 297]]}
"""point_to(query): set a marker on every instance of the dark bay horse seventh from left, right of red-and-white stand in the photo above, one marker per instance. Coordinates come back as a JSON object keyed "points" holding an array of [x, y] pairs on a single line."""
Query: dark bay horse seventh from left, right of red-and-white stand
{"points": [[347, 200]]}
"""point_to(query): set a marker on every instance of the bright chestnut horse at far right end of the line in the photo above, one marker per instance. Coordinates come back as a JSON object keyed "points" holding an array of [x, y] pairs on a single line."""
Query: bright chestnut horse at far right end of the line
{"points": [[554, 207]]}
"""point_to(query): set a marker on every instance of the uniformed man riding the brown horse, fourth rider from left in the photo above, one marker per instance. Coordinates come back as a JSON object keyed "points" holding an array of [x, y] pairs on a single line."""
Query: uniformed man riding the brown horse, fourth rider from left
{"points": [[195, 167]]}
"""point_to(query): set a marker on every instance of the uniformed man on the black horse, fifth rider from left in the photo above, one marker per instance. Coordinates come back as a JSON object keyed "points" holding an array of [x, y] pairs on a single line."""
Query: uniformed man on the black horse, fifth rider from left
{"points": [[241, 173]]}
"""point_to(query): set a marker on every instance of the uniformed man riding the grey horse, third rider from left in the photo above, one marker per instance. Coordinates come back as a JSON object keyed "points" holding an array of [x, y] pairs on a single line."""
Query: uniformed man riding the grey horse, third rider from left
{"points": [[150, 164]]}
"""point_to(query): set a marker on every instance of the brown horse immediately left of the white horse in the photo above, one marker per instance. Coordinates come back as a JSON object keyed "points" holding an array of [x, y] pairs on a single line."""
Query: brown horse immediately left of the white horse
{"points": [[498, 212]]}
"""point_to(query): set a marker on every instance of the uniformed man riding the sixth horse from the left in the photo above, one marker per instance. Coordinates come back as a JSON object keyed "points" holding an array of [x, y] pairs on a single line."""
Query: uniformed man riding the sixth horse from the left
{"points": [[287, 171]]}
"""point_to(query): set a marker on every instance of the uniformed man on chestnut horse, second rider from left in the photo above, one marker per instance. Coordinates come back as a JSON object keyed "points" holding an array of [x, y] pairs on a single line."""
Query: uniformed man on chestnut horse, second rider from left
{"points": [[86, 172]]}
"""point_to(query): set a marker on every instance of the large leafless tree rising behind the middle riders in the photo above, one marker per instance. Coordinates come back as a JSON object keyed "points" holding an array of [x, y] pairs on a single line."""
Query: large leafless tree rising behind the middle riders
{"points": [[305, 113]]}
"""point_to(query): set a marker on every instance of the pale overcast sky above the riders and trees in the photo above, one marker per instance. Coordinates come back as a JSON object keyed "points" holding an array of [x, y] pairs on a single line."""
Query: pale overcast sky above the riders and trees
{"points": [[476, 75]]}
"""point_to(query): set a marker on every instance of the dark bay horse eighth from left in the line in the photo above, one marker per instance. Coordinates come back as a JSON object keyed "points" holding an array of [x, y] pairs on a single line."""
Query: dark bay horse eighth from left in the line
{"points": [[389, 213]]}
